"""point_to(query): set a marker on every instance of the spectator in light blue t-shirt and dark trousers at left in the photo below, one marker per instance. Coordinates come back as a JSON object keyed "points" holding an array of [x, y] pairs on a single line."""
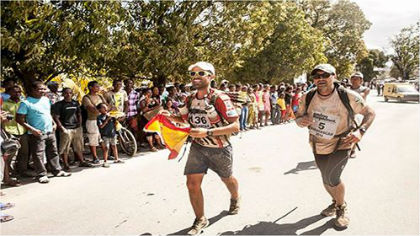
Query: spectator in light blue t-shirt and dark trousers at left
{"points": [[34, 114]]}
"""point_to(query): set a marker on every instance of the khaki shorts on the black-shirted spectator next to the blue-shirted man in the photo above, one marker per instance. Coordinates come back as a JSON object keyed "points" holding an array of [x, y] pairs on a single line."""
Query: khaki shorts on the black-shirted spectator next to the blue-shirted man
{"points": [[74, 137]]}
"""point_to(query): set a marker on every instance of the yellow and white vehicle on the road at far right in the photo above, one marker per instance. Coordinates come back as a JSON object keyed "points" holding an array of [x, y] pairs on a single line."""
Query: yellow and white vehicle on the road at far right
{"points": [[401, 92]]}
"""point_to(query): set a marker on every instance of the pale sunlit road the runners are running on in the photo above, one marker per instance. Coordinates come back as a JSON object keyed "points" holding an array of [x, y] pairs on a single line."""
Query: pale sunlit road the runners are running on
{"points": [[280, 186]]}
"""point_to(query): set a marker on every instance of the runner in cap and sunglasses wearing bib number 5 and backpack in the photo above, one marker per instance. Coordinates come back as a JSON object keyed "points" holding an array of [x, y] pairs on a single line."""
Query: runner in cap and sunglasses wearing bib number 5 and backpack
{"points": [[331, 133]]}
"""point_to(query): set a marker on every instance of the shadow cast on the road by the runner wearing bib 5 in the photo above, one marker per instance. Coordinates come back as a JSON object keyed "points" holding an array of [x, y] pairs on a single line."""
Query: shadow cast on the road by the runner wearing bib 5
{"points": [[272, 228]]}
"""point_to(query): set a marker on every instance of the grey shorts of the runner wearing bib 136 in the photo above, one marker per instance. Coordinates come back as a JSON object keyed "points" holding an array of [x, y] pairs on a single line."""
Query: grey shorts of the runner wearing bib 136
{"points": [[201, 158]]}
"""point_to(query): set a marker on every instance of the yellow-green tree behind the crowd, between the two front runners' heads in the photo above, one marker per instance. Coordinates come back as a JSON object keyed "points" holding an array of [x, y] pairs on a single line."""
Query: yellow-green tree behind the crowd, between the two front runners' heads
{"points": [[292, 47]]}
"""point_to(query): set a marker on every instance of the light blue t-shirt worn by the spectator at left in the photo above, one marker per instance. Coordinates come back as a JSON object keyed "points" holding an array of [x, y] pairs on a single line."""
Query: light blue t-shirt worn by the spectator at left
{"points": [[38, 113]]}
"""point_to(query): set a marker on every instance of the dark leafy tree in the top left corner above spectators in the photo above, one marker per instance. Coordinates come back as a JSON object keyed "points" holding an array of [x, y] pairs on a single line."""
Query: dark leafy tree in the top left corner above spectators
{"points": [[40, 40]]}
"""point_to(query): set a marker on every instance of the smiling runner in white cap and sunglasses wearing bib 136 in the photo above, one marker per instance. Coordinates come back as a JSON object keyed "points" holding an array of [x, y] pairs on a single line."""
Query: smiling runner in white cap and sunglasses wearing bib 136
{"points": [[213, 119]]}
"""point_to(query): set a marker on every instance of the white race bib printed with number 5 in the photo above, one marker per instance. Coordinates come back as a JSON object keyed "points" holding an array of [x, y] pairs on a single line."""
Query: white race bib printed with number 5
{"points": [[325, 125]]}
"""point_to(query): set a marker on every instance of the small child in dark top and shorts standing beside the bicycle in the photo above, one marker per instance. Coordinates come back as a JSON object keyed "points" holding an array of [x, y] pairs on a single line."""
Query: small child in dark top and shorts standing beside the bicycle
{"points": [[107, 128]]}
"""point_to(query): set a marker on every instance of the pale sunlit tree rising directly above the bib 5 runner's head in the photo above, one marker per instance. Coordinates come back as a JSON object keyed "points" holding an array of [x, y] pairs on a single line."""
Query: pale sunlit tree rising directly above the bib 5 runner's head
{"points": [[343, 24]]}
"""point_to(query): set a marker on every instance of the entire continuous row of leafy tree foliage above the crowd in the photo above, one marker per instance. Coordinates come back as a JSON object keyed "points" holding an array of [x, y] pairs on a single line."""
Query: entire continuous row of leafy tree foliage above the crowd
{"points": [[246, 41]]}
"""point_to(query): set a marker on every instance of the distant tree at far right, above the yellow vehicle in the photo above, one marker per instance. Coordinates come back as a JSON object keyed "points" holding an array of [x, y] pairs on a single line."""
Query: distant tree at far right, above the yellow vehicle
{"points": [[406, 47]]}
